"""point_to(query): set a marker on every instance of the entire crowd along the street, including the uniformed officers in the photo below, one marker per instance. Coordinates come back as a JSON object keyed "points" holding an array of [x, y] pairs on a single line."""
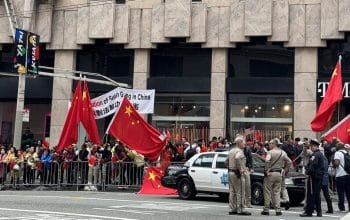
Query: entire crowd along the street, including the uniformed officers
{"points": [[322, 163]]}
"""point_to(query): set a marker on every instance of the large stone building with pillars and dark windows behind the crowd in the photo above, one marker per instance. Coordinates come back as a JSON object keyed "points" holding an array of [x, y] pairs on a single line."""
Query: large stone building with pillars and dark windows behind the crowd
{"points": [[219, 67]]}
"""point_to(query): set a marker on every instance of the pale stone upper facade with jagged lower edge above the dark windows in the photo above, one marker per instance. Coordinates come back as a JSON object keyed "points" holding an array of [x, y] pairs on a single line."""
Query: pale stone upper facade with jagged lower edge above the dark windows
{"points": [[67, 24]]}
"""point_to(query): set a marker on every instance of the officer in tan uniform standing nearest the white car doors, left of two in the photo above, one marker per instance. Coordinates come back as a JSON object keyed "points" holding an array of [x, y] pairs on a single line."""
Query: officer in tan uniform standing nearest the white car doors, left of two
{"points": [[236, 167]]}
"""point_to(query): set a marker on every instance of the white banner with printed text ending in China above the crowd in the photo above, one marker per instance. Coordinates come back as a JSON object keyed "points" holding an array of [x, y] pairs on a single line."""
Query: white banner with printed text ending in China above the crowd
{"points": [[107, 104]]}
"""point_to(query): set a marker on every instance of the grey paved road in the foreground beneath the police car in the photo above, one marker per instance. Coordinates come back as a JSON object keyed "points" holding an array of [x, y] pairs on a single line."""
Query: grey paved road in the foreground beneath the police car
{"points": [[35, 205]]}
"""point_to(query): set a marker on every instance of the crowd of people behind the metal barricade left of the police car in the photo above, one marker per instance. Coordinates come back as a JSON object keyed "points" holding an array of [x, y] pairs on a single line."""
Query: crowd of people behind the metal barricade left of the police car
{"points": [[93, 164]]}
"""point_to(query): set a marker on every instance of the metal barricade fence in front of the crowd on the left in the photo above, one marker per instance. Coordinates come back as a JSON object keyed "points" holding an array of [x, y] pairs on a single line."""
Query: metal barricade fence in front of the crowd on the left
{"points": [[74, 175]]}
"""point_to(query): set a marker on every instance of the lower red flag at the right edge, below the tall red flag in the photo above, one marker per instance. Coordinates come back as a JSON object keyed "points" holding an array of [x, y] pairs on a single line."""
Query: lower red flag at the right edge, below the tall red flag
{"points": [[340, 131]]}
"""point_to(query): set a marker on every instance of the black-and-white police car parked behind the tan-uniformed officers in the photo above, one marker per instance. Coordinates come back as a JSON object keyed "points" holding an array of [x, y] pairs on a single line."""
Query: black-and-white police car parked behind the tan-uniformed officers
{"points": [[207, 173]]}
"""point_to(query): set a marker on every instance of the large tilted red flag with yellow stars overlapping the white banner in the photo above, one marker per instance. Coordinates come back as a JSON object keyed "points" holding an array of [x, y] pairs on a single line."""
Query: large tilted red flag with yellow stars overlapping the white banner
{"points": [[131, 129]]}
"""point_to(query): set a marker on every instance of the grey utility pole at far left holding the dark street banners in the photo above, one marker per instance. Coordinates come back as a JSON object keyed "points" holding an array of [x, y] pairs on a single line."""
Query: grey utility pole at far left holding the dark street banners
{"points": [[27, 15]]}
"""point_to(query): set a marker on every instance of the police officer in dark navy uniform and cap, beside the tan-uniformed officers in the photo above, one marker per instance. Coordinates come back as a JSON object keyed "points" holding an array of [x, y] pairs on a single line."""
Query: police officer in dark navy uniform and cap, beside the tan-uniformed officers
{"points": [[314, 172]]}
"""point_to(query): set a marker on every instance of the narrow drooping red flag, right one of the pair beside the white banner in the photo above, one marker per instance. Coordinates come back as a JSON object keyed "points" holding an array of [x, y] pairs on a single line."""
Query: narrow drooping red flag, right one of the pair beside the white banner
{"points": [[88, 118]]}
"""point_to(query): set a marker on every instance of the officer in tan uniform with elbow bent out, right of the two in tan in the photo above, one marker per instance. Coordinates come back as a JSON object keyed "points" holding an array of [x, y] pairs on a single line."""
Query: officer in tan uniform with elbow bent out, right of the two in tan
{"points": [[277, 164]]}
